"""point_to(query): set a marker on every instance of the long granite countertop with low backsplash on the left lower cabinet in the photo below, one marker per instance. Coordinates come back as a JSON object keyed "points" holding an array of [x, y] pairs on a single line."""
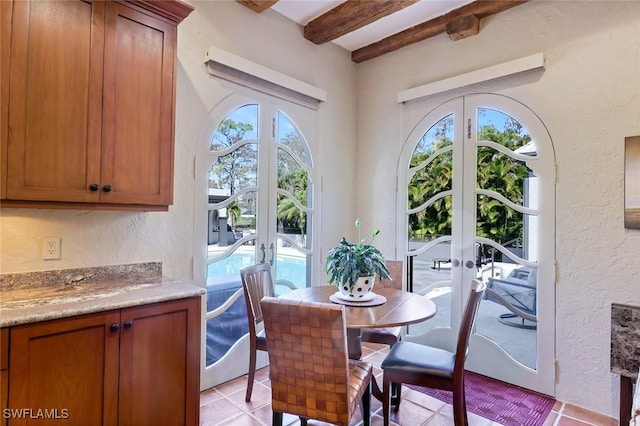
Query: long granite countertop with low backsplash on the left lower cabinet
{"points": [[40, 296]]}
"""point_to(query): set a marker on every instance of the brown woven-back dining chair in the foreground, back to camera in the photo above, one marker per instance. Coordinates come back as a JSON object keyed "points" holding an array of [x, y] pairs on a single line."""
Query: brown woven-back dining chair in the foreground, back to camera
{"points": [[311, 375]]}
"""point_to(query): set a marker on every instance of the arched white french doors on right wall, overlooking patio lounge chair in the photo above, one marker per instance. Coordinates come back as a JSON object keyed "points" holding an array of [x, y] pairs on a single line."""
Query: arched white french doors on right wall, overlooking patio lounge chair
{"points": [[478, 201]]}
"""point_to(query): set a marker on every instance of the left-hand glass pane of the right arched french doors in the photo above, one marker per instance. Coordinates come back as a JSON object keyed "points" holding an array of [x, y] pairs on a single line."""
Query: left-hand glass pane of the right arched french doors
{"points": [[429, 231]]}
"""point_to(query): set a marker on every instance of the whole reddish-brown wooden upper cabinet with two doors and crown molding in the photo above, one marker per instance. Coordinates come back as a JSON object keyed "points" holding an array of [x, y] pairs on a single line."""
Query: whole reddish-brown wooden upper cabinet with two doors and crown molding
{"points": [[91, 104]]}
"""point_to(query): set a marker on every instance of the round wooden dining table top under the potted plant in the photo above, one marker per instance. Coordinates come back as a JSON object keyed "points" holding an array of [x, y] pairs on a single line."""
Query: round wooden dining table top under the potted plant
{"points": [[401, 307]]}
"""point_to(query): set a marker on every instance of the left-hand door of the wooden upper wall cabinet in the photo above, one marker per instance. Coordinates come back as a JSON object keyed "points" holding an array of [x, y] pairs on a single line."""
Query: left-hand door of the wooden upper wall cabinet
{"points": [[55, 101]]}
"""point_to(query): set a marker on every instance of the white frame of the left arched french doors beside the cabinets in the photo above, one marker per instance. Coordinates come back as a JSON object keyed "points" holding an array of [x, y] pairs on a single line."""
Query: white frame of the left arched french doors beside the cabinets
{"points": [[233, 364]]}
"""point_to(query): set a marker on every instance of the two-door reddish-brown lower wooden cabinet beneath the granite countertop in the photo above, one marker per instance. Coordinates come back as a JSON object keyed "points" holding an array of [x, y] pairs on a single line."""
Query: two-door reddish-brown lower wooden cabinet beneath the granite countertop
{"points": [[133, 366]]}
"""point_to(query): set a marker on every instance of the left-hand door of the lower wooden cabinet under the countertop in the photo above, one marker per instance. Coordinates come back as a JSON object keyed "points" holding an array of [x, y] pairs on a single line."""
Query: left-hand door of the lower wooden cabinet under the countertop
{"points": [[68, 367]]}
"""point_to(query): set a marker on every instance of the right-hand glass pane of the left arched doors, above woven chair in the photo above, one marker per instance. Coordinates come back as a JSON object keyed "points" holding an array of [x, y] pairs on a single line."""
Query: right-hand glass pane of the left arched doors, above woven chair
{"points": [[293, 205]]}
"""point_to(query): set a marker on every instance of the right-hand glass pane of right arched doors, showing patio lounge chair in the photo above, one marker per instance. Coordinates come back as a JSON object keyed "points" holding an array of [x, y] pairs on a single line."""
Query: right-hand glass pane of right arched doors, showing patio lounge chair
{"points": [[506, 235]]}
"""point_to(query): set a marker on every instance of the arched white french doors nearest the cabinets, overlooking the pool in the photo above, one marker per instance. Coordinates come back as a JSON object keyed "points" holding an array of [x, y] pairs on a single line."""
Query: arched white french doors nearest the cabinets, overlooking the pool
{"points": [[258, 203]]}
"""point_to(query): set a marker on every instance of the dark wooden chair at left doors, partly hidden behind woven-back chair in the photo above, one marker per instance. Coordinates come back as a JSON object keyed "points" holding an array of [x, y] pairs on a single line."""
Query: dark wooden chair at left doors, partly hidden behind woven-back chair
{"points": [[256, 283]]}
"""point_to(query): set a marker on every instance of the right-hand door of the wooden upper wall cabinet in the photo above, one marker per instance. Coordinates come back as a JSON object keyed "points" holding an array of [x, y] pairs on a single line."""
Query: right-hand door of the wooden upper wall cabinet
{"points": [[137, 151]]}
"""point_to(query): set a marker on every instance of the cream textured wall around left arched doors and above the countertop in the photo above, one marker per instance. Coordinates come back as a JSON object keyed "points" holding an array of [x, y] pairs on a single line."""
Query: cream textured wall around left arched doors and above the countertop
{"points": [[92, 238]]}
